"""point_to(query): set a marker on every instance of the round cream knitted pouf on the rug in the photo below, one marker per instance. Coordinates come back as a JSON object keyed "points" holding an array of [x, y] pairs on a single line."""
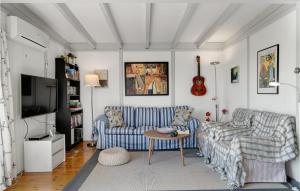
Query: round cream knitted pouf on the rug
{"points": [[113, 156]]}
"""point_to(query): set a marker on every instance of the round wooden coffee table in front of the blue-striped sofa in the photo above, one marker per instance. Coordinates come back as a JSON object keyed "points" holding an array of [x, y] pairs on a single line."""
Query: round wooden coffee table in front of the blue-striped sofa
{"points": [[154, 135]]}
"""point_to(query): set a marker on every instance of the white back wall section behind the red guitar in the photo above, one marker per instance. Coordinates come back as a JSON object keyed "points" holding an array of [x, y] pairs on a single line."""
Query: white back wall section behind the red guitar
{"points": [[186, 69]]}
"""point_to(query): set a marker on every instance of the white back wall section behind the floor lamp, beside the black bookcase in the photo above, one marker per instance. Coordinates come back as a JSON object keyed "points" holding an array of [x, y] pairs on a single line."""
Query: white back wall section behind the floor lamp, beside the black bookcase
{"points": [[88, 62]]}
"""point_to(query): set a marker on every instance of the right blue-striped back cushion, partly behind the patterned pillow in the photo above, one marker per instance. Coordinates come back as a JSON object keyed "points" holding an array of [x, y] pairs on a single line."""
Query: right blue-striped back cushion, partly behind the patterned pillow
{"points": [[166, 115]]}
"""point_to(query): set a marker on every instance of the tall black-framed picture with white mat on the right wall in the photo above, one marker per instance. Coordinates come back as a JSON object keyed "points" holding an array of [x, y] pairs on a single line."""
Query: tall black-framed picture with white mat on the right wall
{"points": [[268, 70]]}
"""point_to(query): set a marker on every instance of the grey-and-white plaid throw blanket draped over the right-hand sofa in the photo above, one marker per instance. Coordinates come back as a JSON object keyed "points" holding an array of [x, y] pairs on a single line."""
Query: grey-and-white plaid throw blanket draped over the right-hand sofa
{"points": [[265, 136]]}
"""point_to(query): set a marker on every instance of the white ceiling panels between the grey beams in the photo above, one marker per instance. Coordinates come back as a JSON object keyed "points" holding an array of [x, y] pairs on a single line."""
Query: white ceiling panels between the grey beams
{"points": [[130, 22]]}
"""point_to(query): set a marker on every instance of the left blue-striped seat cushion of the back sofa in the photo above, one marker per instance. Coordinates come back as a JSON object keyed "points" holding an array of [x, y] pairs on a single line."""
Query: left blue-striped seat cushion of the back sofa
{"points": [[128, 130]]}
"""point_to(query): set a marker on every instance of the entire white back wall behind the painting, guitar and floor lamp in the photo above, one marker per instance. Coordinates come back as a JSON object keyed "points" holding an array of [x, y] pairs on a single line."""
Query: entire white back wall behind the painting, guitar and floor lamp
{"points": [[185, 70]]}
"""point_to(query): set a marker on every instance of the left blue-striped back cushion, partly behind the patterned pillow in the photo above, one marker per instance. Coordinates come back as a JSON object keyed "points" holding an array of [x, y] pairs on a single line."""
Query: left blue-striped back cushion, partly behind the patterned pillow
{"points": [[128, 114]]}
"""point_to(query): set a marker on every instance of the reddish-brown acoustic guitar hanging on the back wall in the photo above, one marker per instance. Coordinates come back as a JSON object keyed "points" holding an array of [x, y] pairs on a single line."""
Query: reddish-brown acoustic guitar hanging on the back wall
{"points": [[198, 88]]}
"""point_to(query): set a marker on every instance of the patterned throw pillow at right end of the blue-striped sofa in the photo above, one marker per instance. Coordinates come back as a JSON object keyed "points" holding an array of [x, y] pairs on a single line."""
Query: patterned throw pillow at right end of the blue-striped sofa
{"points": [[182, 116]]}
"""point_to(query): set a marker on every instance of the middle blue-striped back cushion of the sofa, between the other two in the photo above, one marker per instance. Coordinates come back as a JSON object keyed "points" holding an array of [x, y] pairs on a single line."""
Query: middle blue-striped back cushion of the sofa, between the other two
{"points": [[147, 116]]}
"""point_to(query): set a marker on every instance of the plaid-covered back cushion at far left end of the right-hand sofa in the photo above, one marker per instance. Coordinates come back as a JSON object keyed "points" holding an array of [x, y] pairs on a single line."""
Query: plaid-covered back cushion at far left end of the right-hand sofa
{"points": [[242, 117]]}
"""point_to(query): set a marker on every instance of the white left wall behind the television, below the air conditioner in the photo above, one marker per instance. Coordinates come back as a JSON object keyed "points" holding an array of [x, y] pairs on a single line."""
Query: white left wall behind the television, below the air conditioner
{"points": [[25, 60]]}
